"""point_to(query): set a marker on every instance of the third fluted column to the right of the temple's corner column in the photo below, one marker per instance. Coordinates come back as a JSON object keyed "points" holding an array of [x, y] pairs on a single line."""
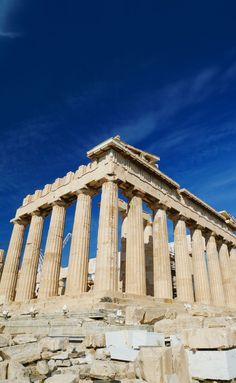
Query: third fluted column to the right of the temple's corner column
{"points": [[184, 283]]}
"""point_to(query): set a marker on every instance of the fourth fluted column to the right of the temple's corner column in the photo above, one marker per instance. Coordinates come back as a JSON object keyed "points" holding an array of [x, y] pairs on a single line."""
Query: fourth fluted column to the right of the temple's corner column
{"points": [[200, 274]]}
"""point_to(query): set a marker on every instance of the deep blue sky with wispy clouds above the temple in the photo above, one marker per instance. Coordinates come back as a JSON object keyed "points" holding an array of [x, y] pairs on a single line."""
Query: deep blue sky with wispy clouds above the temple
{"points": [[162, 74]]}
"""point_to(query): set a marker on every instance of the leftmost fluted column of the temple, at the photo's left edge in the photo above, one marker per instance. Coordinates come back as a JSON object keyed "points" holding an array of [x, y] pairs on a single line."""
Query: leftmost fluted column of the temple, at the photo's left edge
{"points": [[11, 267]]}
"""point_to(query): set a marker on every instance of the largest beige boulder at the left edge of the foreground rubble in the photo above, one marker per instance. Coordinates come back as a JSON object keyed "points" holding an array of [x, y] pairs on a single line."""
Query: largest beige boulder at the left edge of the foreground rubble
{"points": [[24, 353]]}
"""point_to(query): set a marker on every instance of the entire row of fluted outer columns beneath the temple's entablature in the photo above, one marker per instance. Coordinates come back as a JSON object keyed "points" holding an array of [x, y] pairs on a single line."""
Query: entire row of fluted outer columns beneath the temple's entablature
{"points": [[212, 283]]}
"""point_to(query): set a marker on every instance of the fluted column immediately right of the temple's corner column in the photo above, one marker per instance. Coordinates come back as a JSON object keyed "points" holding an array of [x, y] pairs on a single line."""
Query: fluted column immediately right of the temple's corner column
{"points": [[135, 254]]}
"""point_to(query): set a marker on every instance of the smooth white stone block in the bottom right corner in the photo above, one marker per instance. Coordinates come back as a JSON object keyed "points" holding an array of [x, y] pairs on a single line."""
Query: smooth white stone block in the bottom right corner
{"points": [[212, 365]]}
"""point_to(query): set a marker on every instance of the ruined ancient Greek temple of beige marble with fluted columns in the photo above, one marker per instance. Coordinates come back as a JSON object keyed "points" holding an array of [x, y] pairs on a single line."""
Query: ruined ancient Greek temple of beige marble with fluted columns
{"points": [[117, 168]]}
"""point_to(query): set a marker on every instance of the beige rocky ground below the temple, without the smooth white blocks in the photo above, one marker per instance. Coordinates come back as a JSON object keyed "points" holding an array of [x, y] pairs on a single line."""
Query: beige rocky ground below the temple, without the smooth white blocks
{"points": [[31, 351]]}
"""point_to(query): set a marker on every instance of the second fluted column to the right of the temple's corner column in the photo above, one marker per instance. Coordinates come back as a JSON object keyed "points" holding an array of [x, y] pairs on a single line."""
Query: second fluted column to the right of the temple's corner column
{"points": [[161, 256]]}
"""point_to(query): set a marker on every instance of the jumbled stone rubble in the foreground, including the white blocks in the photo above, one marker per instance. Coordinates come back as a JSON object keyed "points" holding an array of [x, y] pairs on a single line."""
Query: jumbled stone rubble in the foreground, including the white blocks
{"points": [[125, 353]]}
